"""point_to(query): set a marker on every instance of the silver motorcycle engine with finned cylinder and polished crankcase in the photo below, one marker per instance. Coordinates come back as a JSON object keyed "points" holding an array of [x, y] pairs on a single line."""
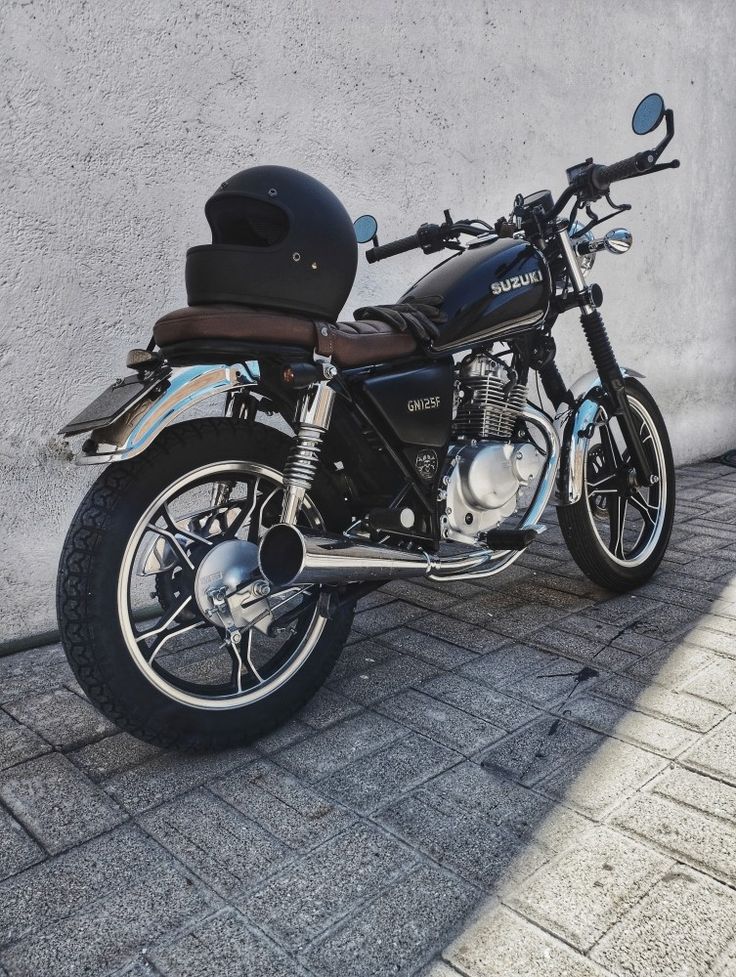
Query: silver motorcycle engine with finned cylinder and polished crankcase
{"points": [[489, 474]]}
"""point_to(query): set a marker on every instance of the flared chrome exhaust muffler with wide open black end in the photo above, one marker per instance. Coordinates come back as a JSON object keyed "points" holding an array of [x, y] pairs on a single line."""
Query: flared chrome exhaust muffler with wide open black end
{"points": [[288, 555]]}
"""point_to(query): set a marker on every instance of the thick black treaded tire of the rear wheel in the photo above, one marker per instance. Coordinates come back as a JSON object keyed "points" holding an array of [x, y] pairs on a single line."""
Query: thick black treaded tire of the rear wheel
{"points": [[92, 634]]}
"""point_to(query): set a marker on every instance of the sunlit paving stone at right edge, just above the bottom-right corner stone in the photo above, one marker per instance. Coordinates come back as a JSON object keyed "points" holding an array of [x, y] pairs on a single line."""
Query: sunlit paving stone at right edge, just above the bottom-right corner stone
{"points": [[699, 839]]}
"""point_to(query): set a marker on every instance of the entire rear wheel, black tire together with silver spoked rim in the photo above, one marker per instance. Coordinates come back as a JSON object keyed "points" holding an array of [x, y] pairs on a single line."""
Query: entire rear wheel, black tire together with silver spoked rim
{"points": [[158, 682]]}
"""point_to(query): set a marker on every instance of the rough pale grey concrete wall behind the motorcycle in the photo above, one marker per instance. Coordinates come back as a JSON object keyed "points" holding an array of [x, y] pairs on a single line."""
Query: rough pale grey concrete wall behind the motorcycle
{"points": [[119, 119]]}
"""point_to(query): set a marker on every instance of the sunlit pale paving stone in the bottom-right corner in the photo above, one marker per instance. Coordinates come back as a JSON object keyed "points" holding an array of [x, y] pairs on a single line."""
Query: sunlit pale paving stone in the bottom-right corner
{"points": [[680, 927]]}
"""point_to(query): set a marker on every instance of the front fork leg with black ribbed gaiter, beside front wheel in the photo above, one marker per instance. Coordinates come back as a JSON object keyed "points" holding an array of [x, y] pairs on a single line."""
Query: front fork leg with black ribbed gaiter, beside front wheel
{"points": [[605, 362]]}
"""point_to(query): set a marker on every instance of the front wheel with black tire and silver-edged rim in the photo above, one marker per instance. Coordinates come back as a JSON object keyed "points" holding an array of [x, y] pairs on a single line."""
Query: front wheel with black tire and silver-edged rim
{"points": [[618, 532]]}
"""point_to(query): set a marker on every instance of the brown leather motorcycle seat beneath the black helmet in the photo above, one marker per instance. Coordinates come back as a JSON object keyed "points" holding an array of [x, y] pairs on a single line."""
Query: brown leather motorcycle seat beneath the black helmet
{"points": [[349, 343]]}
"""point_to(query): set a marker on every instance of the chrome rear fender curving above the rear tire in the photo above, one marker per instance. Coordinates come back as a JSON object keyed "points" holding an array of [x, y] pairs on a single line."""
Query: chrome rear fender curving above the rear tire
{"points": [[185, 387]]}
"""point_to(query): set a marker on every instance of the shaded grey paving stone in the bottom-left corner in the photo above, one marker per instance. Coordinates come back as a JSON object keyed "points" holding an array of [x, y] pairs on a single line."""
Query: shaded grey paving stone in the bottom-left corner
{"points": [[104, 937]]}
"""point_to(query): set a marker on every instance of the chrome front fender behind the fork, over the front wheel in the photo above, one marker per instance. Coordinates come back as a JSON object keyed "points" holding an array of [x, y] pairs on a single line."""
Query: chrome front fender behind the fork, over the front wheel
{"points": [[574, 428]]}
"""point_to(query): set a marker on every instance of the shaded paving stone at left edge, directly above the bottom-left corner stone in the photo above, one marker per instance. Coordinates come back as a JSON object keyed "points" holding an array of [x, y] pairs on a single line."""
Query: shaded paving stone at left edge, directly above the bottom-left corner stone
{"points": [[45, 894]]}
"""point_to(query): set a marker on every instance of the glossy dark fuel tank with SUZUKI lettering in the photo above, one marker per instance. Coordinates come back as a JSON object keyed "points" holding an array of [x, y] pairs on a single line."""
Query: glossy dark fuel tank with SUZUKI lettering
{"points": [[491, 291]]}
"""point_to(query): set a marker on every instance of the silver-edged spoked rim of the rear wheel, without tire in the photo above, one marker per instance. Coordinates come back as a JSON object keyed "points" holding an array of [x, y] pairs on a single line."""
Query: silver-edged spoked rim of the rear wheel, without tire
{"points": [[206, 507]]}
